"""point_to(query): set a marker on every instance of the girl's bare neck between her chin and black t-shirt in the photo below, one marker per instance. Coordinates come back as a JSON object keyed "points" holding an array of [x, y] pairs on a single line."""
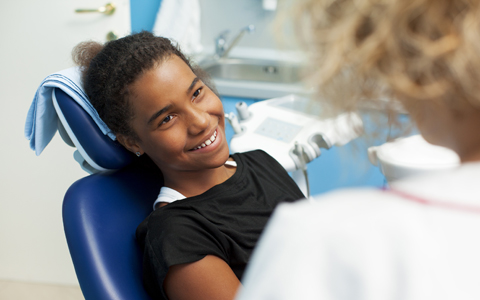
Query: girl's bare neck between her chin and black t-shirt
{"points": [[192, 184]]}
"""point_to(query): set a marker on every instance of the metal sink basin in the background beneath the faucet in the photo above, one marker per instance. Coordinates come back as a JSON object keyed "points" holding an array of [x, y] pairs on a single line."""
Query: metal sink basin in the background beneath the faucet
{"points": [[255, 78]]}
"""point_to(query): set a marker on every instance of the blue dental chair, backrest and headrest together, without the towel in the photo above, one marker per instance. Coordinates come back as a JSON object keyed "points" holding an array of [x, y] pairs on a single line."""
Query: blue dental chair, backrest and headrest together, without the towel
{"points": [[102, 211]]}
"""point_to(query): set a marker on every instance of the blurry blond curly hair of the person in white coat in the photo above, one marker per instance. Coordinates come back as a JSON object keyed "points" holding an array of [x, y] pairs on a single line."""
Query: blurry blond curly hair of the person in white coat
{"points": [[370, 50]]}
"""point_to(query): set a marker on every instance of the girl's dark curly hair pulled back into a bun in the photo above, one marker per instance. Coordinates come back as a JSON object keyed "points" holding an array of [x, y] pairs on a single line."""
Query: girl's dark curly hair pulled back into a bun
{"points": [[108, 71]]}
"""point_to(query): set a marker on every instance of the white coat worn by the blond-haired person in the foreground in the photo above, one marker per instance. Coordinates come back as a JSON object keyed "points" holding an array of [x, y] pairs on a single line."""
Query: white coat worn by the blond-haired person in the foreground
{"points": [[372, 244]]}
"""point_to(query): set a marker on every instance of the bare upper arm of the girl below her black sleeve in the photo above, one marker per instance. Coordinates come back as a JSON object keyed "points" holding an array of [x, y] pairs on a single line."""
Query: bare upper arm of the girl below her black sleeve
{"points": [[209, 278]]}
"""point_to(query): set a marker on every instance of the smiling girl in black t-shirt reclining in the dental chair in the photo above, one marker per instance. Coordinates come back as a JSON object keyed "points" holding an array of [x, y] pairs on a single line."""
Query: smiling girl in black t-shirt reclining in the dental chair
{"points": [[213, 207]]}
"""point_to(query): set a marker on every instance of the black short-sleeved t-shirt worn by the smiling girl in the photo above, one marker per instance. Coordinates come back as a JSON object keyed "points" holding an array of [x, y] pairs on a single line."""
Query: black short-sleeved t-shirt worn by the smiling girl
{"points": [[225, 221]]}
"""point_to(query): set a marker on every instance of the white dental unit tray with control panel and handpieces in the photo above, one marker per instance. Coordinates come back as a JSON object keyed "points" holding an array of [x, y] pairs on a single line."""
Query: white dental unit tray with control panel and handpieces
{"points": [[291, 130]]}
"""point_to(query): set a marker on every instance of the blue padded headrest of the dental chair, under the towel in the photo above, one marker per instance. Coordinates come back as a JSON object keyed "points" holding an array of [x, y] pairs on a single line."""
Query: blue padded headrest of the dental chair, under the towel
{"points": [[99, 151]]}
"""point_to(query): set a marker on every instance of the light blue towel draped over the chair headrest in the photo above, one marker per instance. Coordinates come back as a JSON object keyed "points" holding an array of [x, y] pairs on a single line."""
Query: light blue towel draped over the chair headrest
{"points": [[41, 124]]}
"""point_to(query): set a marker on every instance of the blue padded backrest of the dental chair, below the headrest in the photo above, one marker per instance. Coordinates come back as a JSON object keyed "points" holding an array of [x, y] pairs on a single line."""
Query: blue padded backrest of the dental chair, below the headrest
{"points": [[100, 216]]}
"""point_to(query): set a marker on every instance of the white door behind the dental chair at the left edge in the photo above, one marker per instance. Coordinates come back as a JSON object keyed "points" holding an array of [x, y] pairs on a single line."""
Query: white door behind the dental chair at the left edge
{"points": [[34, 43]]}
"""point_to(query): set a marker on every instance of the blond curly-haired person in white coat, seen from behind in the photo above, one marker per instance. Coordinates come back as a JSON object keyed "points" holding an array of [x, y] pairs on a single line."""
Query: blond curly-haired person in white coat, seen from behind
{"points": [[421, 238]]}
